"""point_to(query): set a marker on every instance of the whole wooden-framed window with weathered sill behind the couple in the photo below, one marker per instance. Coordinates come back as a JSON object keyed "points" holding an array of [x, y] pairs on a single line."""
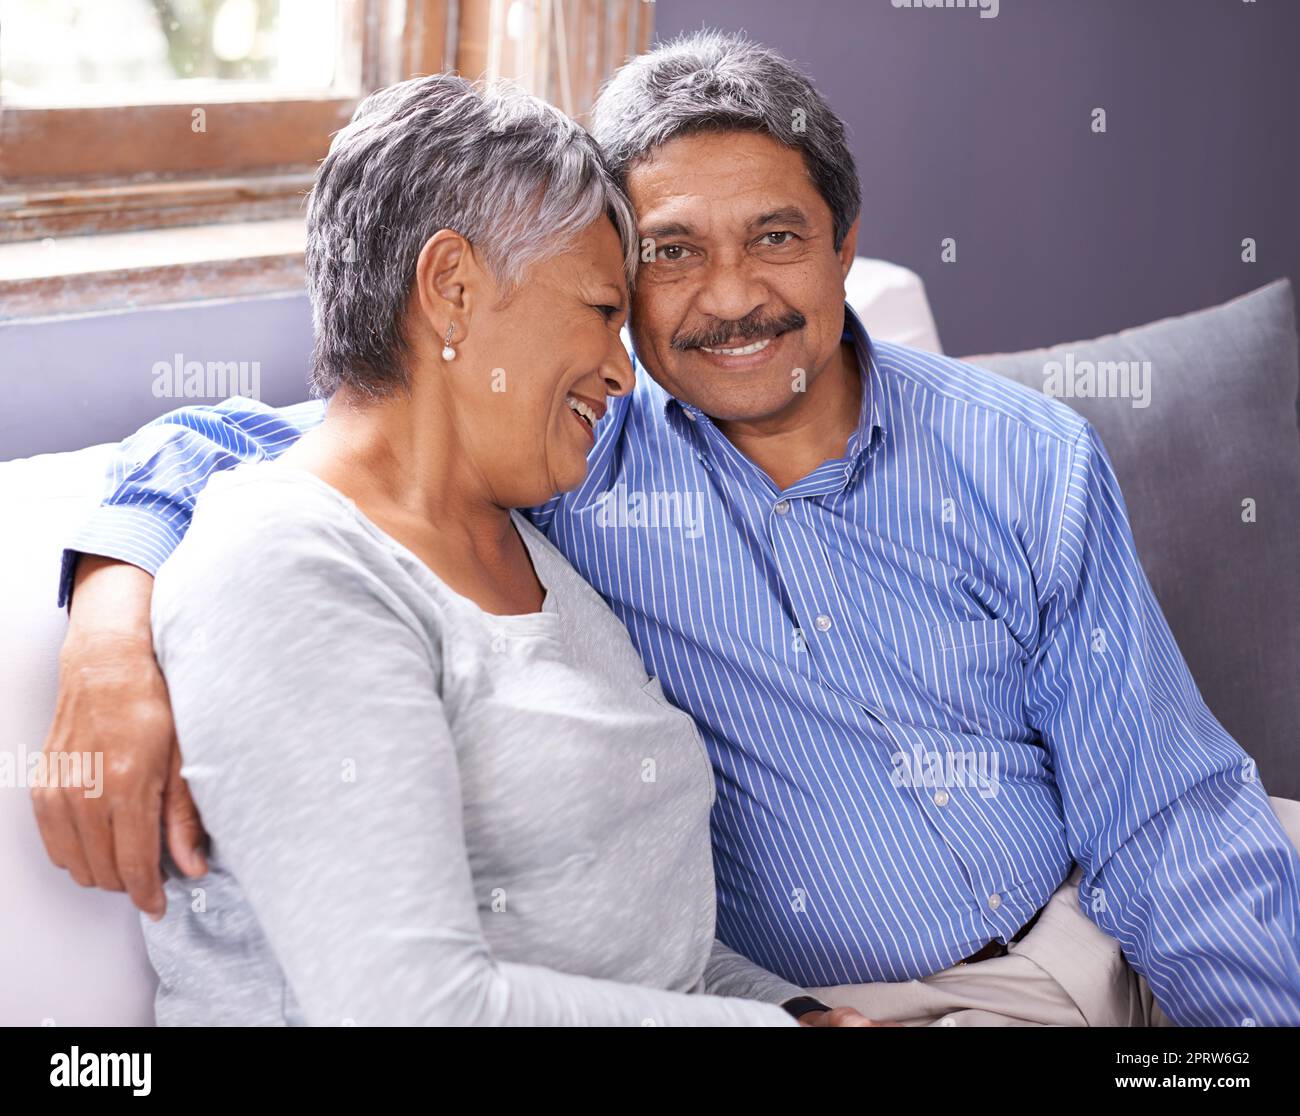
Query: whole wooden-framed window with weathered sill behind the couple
{"points": [[124, 119]]}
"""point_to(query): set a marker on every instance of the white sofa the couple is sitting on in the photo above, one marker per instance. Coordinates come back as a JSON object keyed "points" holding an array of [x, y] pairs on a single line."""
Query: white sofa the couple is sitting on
{"points": [[73, 957]]}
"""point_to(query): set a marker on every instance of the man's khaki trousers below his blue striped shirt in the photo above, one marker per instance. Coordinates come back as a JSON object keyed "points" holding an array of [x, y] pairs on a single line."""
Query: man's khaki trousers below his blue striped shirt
{"points": [[1065, 972]]}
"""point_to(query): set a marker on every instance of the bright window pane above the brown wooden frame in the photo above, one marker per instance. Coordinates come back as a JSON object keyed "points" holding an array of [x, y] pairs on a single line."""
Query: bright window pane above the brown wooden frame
{"points": [[85, 53]]}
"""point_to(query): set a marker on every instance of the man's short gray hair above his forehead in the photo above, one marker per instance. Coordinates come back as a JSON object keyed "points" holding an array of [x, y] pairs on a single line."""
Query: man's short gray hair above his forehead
{"points": [[710, 81]]}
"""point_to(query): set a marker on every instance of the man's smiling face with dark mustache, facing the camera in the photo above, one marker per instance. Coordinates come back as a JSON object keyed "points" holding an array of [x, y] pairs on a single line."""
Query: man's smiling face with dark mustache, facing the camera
{"points": [[743, 306]]}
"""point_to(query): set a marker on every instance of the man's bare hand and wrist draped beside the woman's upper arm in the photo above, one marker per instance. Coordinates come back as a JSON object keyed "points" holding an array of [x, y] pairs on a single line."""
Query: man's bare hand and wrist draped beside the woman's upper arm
{"points": [[112, 699]]}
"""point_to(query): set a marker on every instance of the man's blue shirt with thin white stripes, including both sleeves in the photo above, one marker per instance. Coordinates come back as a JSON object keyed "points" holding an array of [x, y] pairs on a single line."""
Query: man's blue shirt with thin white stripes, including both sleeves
{"points": [[931, 676]]}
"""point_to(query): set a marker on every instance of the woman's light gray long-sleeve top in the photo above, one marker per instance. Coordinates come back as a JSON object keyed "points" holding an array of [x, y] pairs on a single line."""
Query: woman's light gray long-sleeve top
{"points": [[421, 812]]}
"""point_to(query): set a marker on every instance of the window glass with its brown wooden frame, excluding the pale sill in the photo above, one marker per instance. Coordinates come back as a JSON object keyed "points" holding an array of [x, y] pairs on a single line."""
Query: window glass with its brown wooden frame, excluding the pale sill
{"points": [[144, 114]]}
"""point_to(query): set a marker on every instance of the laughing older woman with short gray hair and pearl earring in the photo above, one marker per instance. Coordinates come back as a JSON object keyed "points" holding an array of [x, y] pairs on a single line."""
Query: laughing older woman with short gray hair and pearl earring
{"points": [[440, 786]]}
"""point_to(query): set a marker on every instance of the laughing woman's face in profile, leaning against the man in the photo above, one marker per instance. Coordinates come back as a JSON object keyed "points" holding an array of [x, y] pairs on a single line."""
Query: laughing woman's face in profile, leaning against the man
{"points": [[536, 370]]}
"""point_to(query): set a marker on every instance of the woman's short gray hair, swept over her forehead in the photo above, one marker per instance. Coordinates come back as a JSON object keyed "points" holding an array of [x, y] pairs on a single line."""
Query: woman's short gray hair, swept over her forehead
{"points": [[513, 175]]}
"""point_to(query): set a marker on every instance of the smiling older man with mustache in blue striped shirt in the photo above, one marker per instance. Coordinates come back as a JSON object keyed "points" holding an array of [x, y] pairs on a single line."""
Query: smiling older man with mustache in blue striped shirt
{"points": [[964, 773]]}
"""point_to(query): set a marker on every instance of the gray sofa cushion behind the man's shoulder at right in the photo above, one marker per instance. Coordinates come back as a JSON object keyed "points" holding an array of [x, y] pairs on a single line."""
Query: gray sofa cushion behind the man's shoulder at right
{"points": [[1214, 425]]}
